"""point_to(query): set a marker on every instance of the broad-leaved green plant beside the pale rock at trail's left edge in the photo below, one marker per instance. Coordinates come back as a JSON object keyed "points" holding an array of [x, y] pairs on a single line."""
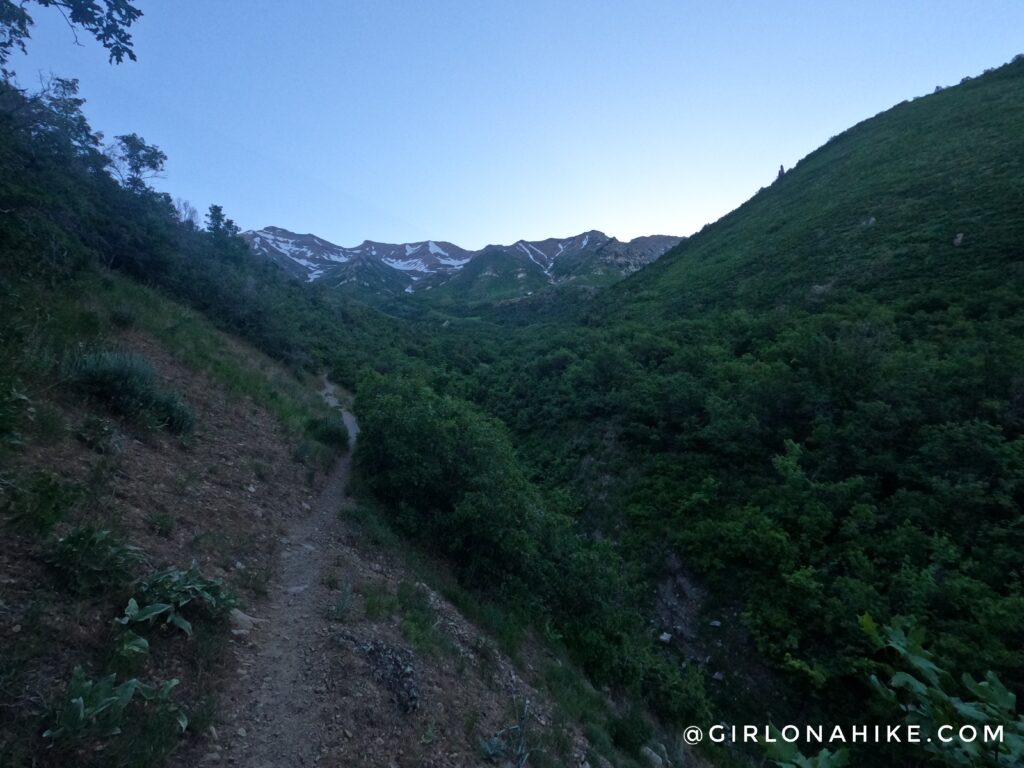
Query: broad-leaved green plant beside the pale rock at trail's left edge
{"points": [[166, 594]]}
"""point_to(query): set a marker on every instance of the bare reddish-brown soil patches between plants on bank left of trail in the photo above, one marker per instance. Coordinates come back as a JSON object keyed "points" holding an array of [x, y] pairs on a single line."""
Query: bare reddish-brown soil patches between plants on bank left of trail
{"points": [[219, 501]]}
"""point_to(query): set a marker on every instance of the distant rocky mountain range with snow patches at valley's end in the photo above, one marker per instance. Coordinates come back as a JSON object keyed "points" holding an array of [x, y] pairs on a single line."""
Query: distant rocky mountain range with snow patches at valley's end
{"points": [[493, 273]]}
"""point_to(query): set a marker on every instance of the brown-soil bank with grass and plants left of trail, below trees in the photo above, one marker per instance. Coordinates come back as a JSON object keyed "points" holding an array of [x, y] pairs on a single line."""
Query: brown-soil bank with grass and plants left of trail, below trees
{"points": [[138, 445]]}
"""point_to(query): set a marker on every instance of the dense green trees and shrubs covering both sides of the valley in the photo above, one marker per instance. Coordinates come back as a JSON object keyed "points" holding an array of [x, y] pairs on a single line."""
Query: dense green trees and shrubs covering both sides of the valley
{"points": [[816, 405]]}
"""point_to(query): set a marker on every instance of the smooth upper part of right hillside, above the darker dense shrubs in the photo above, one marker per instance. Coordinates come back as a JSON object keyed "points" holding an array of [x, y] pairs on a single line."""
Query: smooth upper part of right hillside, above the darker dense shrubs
{"points": [[922, 197]]}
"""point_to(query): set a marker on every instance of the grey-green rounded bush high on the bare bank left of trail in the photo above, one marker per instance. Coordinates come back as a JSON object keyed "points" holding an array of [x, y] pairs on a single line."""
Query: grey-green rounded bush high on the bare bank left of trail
{"points": [[129, 385]]}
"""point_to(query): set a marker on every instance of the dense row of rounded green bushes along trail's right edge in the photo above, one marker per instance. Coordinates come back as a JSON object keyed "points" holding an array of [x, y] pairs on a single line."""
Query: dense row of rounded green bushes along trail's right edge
{"points": [[452, 481]]}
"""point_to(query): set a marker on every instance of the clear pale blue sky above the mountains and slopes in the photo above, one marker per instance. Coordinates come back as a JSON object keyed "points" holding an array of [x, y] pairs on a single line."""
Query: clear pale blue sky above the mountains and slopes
{"points": [[486, 121]]}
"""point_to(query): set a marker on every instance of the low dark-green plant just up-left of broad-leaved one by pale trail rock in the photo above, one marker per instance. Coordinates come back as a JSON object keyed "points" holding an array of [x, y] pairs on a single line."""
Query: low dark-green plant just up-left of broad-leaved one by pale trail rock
{"points": [[90, 561]]}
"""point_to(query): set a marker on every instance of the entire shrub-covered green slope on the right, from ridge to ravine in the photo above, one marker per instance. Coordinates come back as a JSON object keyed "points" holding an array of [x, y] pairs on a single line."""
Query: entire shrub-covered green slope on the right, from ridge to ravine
{"points": [[814, 409]]}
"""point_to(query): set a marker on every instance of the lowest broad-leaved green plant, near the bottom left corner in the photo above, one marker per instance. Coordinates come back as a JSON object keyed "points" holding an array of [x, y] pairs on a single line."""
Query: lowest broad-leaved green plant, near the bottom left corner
{"points": [[96, 709]]}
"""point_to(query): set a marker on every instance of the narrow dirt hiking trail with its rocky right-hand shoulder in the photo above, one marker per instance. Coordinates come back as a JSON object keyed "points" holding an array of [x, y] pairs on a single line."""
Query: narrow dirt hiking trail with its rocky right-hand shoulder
{"points": [[315, 687]]}
